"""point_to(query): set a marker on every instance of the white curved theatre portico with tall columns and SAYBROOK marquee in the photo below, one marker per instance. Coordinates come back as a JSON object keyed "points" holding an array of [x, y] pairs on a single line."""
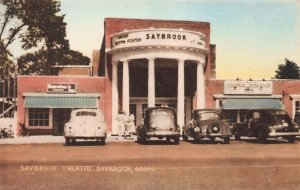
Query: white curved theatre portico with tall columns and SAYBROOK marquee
{"points": [[148, 44]]}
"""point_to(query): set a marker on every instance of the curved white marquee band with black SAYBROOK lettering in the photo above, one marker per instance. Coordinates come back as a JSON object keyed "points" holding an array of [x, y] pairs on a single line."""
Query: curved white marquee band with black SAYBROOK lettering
{"points": [[159, 37]]}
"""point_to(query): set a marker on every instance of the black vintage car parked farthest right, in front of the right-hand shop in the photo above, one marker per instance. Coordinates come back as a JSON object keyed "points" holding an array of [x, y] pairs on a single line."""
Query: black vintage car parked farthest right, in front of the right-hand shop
{"points": [[263, 124]]}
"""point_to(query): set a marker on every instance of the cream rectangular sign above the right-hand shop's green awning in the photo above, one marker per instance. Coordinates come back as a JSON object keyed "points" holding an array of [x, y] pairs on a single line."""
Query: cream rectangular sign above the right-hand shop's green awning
{"points": [[248, 87]]}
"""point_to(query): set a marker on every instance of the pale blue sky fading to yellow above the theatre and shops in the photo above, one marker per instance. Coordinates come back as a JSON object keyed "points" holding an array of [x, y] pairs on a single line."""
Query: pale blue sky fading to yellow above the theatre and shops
{"points": [[252, 36]]}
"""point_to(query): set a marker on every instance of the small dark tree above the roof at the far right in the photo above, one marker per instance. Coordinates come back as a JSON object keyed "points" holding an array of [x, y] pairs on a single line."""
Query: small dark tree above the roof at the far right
{"points": [[289, 70]]}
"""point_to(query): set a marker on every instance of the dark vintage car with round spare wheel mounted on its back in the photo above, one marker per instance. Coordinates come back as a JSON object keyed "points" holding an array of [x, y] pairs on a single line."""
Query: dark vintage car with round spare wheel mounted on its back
{"points": [[207, 123]]}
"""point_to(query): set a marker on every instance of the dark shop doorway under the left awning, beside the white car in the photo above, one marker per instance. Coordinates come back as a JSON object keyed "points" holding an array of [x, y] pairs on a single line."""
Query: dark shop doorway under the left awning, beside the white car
{"points": [[60, 117]]}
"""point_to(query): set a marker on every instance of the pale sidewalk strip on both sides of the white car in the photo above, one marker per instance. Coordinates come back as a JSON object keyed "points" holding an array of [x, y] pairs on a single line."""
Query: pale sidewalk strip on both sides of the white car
{"points": [[46, 139]]}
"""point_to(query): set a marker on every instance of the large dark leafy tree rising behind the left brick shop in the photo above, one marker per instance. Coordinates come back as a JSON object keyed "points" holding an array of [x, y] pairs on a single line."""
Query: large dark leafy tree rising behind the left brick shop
{"points": [[36, 25]]}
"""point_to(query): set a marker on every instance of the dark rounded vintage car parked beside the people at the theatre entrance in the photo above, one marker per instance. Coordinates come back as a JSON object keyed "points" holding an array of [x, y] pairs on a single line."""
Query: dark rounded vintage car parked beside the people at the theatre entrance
{"points": [[160, 122]]}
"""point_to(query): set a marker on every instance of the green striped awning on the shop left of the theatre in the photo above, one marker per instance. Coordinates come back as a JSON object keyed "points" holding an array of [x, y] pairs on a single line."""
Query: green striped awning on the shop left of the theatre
{"points": [[60, 102]]}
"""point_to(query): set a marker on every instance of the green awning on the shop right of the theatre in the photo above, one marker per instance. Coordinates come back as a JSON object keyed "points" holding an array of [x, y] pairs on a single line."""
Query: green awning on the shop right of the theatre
{"points": [[245, 104]]}
